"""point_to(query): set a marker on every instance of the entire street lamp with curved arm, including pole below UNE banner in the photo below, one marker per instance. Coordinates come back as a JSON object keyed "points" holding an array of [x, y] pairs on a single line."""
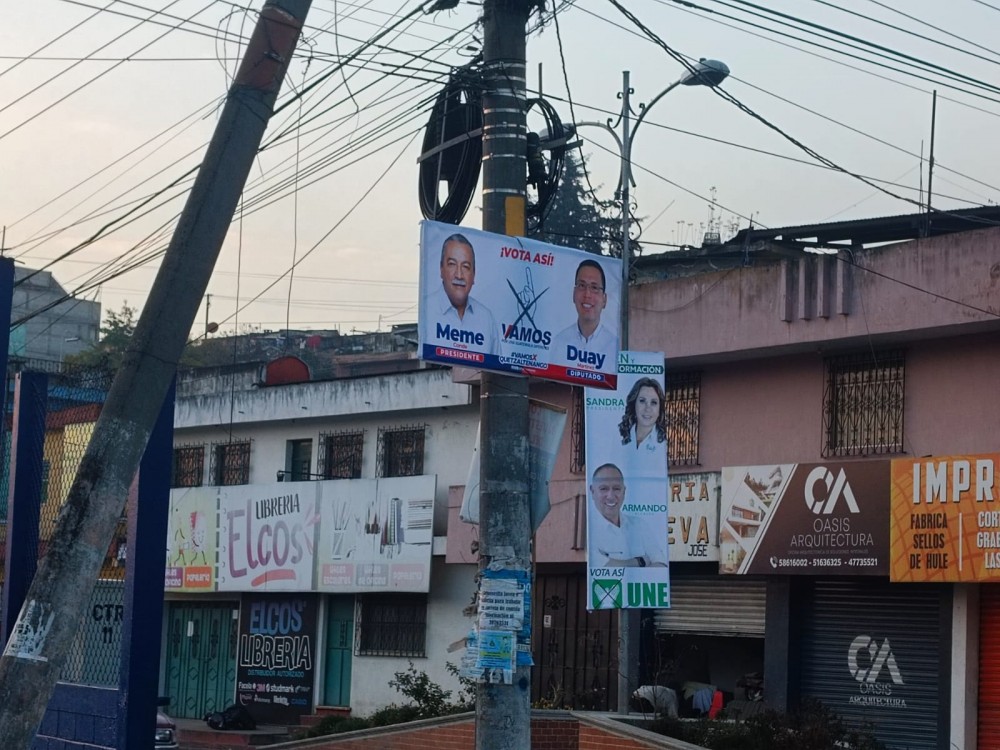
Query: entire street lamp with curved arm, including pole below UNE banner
{"points": [[703, 73]]}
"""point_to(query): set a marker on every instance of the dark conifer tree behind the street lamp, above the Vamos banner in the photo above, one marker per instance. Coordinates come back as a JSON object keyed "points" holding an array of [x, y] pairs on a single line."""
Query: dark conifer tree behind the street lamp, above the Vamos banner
{"points": [[578, 219]]}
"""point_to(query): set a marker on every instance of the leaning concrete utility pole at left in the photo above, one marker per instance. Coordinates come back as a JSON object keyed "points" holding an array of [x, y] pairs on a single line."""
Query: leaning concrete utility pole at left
{"points": [[50, 617]]}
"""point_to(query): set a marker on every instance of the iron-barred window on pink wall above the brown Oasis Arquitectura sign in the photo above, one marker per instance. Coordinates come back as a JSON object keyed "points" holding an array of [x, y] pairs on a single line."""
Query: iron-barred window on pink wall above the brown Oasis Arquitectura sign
{"points": [[863, 404]]}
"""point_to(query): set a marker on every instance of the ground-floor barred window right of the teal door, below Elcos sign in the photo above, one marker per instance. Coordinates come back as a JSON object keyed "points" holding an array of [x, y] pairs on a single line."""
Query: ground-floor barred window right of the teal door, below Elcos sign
{"points": [[391, 625]]}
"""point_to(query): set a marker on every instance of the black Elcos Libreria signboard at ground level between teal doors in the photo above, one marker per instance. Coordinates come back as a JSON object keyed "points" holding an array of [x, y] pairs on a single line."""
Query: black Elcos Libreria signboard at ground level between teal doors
{"points": [[277, 651]]}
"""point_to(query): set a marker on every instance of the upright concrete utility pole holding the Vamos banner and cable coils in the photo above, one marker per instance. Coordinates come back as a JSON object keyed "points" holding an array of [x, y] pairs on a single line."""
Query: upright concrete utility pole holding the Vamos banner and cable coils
{"points": [[503, 712]]}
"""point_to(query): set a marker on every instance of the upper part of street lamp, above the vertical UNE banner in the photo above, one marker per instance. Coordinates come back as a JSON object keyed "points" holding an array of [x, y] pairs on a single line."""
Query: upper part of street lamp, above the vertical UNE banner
{"points": [[703, 73]]}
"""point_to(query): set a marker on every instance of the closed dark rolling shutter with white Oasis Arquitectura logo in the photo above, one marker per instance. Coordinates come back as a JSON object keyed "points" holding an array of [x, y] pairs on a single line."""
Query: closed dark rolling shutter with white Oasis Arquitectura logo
{"points": [[901, 700]]}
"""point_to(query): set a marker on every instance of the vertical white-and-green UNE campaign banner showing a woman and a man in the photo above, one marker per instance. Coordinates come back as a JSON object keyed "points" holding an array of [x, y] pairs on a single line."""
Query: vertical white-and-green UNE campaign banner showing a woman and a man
{"points": [[627, 488]]}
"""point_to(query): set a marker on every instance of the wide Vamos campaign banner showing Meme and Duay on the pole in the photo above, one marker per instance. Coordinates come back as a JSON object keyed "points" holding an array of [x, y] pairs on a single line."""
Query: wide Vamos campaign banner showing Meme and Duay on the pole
{"points": [[514, 305]]}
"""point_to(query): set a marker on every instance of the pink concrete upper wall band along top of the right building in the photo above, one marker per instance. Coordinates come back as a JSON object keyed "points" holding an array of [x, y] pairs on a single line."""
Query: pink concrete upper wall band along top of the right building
{"points": [[919, 289]]}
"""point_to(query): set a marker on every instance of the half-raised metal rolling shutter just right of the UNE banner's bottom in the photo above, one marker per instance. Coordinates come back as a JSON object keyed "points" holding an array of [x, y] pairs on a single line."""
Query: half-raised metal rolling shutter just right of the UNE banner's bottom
{"points": [[713, 605]]}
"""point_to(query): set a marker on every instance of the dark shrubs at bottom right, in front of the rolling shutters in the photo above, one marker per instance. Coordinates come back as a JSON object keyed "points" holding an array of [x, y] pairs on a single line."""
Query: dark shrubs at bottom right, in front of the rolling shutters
{"points": [[813, 727]]}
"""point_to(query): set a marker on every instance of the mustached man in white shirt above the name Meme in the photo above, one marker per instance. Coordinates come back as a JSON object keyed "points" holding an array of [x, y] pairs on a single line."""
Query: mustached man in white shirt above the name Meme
{"points": [[459, 320]]}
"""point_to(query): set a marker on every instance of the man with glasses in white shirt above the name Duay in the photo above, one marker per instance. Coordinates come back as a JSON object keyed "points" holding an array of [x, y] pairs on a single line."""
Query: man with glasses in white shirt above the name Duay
{"points": [[588, 343]]}
